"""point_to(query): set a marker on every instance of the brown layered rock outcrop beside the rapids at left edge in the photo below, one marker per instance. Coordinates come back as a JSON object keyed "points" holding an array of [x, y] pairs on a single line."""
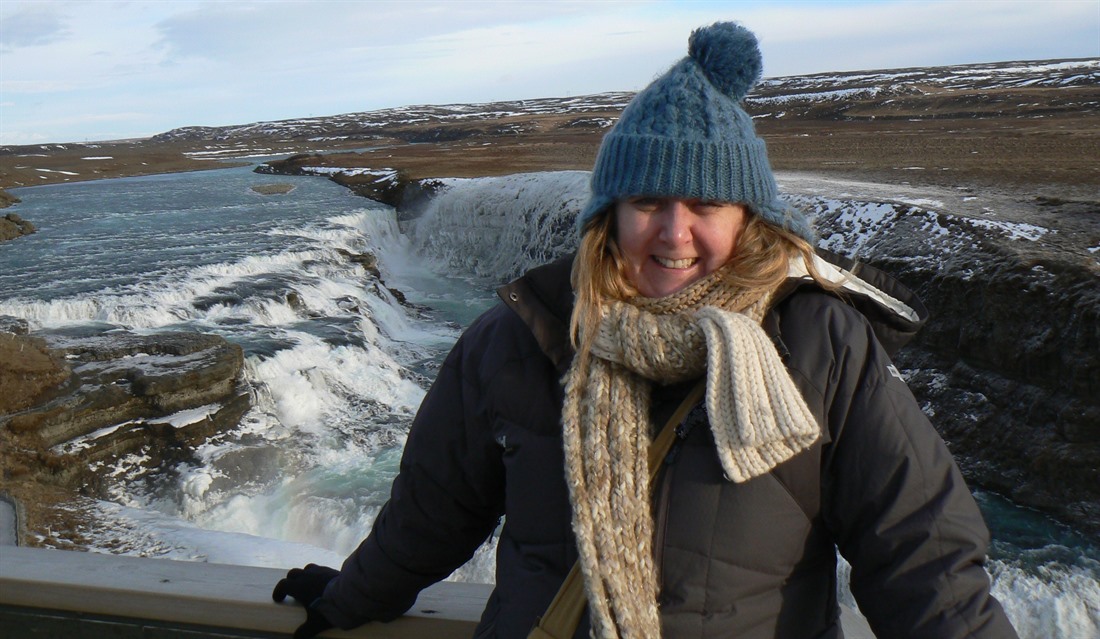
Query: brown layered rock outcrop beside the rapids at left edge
{"points": [[95, 398]]}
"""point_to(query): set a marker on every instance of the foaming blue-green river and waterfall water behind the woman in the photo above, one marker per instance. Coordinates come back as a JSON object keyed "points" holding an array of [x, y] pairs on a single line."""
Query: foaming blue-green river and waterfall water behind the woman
{"points": [[337, 359]]}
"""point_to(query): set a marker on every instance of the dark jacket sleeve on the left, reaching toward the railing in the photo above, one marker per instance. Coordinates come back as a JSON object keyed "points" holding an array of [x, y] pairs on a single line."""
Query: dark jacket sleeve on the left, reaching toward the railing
{"points": [[446, 501]]}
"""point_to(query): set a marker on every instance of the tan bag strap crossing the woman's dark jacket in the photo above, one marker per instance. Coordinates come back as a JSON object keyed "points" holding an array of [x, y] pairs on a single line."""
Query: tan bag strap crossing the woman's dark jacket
{"points": [[564, 615]]}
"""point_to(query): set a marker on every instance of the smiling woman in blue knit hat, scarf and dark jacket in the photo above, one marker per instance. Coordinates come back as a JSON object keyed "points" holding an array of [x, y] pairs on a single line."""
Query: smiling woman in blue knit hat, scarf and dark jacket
{"points": [[690, 268]]}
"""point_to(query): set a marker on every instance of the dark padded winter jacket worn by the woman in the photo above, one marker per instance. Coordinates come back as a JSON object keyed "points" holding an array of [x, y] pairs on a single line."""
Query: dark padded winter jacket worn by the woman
{"points": [[756, 559]]}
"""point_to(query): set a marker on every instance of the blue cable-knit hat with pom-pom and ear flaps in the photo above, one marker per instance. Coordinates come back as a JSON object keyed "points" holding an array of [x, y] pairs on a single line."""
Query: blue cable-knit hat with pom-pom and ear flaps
{"points": [[686, 136]]}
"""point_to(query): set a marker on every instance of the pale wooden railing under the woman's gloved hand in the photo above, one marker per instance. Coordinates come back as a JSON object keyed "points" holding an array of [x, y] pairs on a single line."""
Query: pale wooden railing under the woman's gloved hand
{"points": [[57, 587]]}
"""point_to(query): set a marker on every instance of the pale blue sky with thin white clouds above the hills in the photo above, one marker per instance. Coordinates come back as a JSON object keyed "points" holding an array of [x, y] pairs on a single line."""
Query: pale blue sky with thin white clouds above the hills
{"points": [[97, 70]]}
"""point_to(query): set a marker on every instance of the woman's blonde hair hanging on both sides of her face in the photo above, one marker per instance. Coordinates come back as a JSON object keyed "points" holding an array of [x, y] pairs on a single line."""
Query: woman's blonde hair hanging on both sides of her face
{"points": [[761, 262]]}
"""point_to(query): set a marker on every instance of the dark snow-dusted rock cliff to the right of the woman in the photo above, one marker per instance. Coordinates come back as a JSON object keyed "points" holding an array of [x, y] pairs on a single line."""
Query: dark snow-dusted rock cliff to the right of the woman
{"points": [[1009, 366]]}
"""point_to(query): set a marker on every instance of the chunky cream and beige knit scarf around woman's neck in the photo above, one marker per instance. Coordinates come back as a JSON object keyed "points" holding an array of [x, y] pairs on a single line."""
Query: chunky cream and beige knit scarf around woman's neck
{"points": [[757, 415]]}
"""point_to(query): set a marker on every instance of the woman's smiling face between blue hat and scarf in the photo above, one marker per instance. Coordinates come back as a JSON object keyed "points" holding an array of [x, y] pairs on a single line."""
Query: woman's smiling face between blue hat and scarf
{"points": [[669, 244]]}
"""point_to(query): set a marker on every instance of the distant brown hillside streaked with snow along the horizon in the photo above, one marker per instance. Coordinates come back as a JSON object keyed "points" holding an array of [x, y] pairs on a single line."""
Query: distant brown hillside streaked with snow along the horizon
{"points": [[1005, 124]]}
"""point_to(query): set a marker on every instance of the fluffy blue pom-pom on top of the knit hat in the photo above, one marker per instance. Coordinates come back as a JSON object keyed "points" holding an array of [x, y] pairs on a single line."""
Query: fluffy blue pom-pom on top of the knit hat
{"points": [[730, 57]]}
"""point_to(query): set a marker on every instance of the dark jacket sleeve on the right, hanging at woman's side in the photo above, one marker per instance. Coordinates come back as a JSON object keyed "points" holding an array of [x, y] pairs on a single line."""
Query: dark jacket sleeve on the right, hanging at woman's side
{"points": [[896, 502]]}
